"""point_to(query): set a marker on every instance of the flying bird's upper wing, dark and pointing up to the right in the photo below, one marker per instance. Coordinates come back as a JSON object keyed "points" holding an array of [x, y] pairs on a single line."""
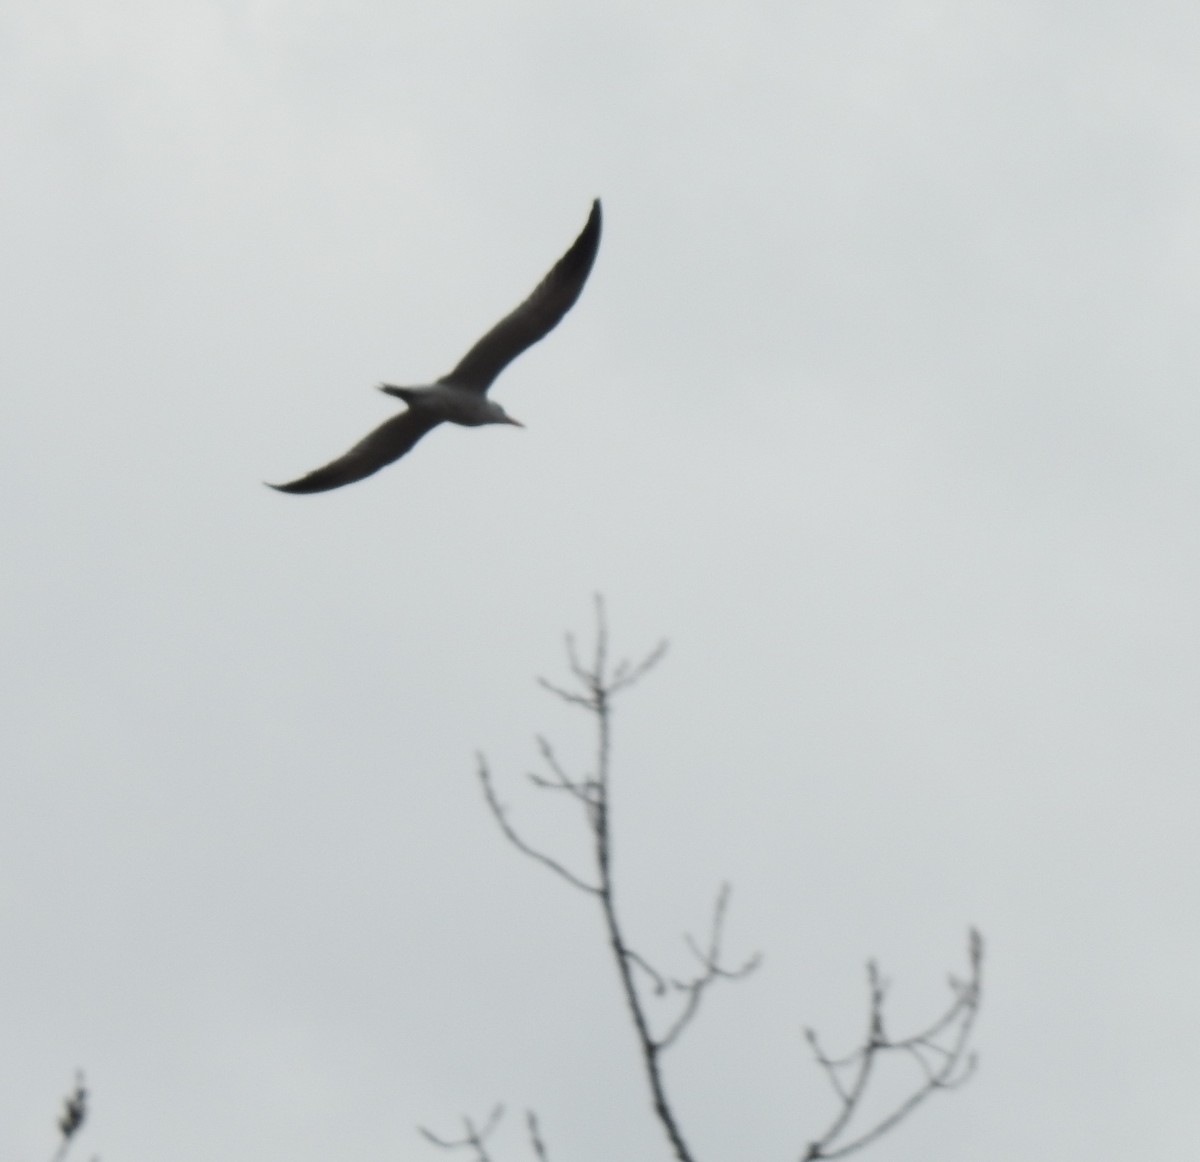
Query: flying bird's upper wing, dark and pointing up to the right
{"points": [[536, 319]]}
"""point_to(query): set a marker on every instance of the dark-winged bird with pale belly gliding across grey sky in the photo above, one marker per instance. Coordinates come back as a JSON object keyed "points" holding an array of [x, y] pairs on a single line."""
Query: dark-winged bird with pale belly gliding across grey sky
{"points": [[461, 397]]}
